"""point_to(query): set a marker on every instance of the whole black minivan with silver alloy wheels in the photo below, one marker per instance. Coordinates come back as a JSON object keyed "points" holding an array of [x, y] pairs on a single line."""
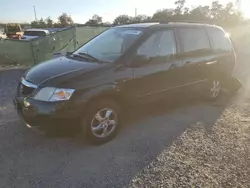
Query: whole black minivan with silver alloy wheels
{"points": [[124, 65]]}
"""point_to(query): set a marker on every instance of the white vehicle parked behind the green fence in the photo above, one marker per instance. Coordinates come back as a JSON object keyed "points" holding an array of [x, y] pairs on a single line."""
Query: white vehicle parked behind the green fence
{"points": [[30, 34]]}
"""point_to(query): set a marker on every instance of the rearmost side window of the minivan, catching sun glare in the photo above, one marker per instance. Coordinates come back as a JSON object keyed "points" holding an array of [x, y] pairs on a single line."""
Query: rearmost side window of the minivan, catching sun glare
{"points": [[219, 39]]}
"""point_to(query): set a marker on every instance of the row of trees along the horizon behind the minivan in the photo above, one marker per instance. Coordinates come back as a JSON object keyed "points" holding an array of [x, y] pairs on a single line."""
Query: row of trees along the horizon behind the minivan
{"points": [[216, 13]]}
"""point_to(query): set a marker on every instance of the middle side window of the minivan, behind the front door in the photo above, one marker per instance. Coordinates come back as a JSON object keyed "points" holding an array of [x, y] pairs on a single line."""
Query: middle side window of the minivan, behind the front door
{"points": [[193, 39]]}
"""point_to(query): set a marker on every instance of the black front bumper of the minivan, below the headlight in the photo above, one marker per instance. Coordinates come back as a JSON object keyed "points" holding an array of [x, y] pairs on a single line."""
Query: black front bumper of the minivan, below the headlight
{"points": [[45, 116]]}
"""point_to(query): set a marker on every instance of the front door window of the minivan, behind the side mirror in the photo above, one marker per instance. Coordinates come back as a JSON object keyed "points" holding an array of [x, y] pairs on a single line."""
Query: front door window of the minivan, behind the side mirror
{"points": [[159, 44]]}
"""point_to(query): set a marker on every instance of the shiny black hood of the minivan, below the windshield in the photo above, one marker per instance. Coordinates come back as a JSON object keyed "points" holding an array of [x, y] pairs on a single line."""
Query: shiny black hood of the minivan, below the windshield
{"points": [[58, 67]]}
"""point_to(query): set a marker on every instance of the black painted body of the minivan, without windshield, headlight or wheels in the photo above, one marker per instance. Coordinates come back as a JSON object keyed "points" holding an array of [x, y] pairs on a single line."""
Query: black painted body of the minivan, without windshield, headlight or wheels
{"points": [[180, 74]]}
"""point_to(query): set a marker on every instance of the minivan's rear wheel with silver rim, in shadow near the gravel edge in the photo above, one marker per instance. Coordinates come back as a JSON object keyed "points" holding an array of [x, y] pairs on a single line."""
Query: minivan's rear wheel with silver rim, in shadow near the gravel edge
{"points": [[213, 89]]}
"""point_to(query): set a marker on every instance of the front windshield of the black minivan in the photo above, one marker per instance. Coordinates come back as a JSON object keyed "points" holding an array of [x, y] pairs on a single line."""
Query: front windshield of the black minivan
{"points": [[111, 44]]}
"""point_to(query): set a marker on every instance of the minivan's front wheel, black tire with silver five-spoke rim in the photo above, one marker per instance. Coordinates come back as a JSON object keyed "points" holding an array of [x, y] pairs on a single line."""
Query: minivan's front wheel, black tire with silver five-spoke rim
{"points": [[101, 122]]}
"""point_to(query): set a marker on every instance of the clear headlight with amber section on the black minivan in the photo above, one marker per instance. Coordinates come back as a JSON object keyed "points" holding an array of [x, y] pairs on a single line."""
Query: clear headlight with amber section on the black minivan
{"points": [[54, 94]]}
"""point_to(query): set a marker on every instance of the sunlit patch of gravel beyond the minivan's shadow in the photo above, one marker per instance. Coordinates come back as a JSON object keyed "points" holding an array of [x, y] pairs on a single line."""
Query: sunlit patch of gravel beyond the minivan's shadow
{"points": [[220, 158]]}
